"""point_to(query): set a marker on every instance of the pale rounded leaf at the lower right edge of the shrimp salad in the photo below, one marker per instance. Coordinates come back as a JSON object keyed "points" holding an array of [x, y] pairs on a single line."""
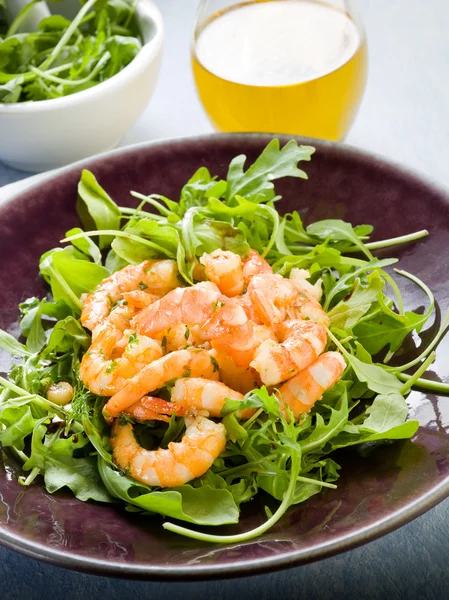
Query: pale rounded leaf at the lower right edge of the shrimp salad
{"points": [[386, 412]]}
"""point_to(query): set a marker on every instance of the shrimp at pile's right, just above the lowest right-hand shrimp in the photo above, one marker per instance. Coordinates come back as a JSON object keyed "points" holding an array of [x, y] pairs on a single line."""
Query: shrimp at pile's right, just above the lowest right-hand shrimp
{"points": [[301, 342]]}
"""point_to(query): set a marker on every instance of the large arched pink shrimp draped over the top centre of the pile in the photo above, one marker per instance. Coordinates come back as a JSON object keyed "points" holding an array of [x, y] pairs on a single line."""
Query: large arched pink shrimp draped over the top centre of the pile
{"points": [[221, 318]]}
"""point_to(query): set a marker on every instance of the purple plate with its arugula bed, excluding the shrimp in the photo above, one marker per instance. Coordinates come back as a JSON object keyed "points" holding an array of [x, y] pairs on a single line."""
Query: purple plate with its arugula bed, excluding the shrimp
{"points": [[371, 455]]}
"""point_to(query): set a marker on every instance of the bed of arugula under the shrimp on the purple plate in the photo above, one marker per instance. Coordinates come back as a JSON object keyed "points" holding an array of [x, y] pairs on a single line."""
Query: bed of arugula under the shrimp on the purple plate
{"points": [[290, 461]]}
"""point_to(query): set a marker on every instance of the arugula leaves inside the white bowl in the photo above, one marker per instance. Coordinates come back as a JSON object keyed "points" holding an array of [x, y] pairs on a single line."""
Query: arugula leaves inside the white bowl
{"points": [[63, 57]]}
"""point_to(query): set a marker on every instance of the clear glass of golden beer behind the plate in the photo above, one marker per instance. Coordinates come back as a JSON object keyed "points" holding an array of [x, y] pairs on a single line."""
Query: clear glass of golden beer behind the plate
{"points": [[280, 66]]}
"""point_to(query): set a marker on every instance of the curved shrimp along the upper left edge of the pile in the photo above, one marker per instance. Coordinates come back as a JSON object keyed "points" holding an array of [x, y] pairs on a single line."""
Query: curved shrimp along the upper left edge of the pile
{"points": [[157, 277]]}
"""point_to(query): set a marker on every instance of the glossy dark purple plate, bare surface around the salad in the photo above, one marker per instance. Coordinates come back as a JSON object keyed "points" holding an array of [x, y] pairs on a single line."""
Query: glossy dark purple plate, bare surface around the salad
{"points": [[375, 495]]}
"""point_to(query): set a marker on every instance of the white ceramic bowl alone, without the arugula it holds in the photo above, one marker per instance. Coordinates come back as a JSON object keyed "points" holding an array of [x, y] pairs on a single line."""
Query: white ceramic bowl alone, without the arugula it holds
{"points": [[37, 136]]}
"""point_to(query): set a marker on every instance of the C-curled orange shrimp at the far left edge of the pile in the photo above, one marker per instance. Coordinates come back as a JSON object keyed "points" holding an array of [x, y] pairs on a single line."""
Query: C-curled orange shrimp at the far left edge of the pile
{"points": [[104, 372]]}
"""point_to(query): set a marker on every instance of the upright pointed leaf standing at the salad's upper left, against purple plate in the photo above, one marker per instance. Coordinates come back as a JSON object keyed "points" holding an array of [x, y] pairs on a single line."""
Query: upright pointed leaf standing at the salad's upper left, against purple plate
{"points": [[96, 208]]}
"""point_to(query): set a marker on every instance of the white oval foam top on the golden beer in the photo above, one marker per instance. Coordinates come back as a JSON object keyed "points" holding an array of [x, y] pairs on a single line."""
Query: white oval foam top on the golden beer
{"points": [[277, 43]]}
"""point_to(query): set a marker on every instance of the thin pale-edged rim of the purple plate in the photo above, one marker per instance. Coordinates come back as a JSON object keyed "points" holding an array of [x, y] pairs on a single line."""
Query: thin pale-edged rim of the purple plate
{"points": [[240, 568]]}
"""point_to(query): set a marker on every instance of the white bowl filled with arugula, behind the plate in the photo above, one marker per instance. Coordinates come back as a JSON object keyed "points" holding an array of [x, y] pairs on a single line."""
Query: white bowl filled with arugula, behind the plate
{"points": [[72, 84]]}
